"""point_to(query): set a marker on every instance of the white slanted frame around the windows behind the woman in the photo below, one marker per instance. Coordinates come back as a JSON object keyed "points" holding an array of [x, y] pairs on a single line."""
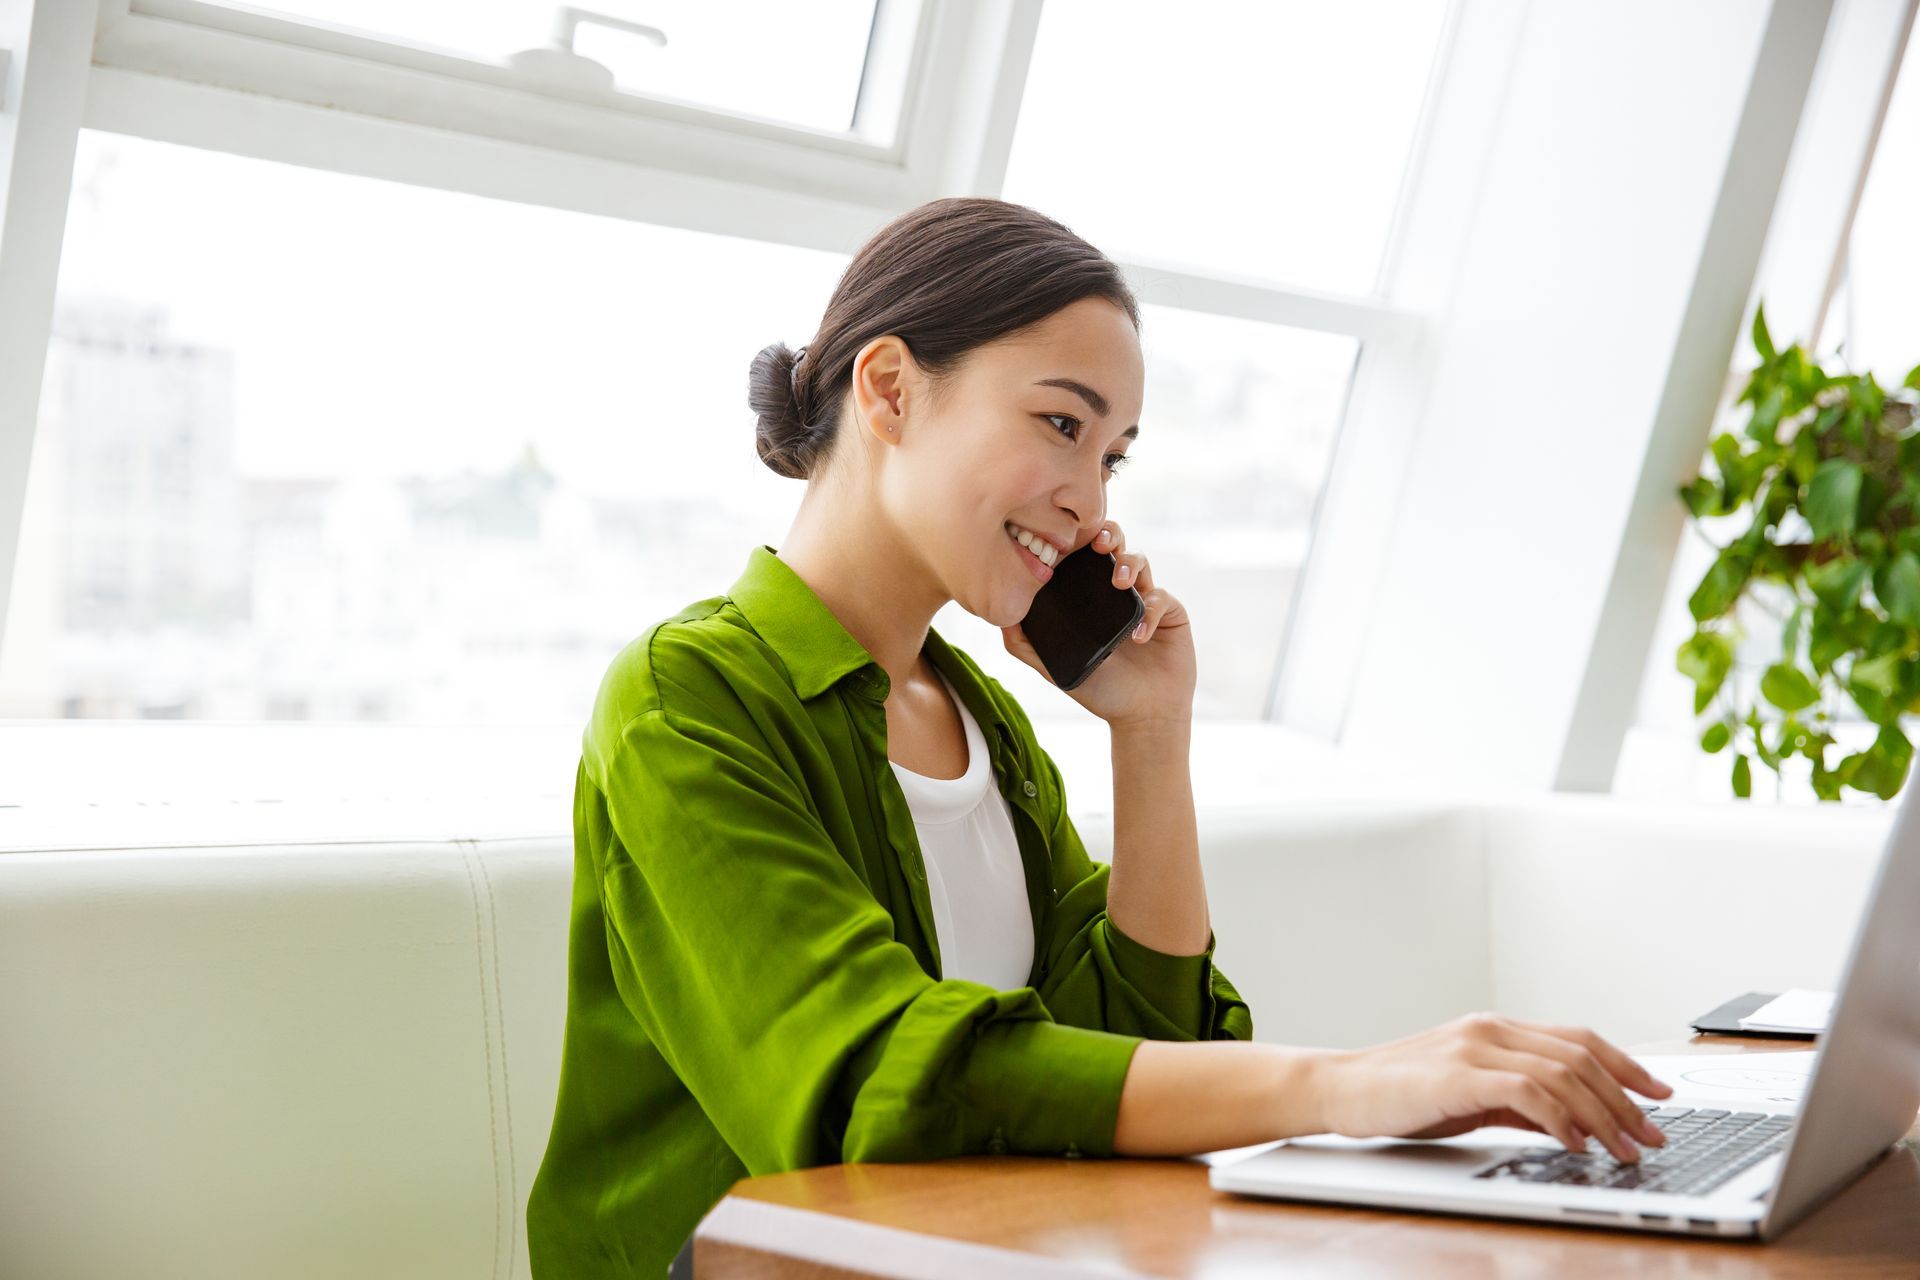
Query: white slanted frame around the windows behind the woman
{"points": [[224, 80]]}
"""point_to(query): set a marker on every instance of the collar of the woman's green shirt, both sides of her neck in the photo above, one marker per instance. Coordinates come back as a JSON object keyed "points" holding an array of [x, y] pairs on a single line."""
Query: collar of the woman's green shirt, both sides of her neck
{"points": [[819, 652]]}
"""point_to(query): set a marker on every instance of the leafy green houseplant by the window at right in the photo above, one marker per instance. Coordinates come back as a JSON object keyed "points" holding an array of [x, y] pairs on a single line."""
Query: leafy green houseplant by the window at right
{"points": [[1829, 471]]}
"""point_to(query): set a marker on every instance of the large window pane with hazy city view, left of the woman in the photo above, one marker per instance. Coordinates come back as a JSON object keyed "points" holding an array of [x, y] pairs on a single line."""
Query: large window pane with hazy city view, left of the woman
{"points": [[331, 448]]}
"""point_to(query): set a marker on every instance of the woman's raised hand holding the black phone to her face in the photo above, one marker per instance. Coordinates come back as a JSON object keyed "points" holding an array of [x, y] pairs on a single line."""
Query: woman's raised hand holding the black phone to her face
{"points": [[1147, 676]]}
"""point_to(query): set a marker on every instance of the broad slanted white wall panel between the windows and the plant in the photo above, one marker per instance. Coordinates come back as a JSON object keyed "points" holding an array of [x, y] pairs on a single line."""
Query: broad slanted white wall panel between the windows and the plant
{"points": [[1556, 358]]}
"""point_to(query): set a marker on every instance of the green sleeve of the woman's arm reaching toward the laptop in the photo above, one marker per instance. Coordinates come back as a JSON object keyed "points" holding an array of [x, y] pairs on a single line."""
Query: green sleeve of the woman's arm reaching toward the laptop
{"points": [[767, 974]]}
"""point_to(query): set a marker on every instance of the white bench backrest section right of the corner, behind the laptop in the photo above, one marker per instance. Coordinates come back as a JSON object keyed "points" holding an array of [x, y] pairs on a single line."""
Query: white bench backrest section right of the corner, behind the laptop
{"points": [[1635, 920]]}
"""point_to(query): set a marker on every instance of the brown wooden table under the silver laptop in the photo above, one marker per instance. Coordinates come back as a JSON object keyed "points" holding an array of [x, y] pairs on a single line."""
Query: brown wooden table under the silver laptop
{"points": [[1030, 1218]]}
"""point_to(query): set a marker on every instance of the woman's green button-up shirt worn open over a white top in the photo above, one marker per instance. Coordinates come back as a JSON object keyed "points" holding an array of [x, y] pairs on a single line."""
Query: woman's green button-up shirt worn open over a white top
{"points": [[754, 976]]}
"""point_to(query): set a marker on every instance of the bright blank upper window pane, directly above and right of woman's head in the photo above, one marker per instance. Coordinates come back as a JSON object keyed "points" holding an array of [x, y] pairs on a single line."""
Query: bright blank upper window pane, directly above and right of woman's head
{"points": [[1259, 141]]}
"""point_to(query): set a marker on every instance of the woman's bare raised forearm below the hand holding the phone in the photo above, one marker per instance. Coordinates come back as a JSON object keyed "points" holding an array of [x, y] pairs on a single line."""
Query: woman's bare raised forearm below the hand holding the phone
{"points": [[1155, 893]]}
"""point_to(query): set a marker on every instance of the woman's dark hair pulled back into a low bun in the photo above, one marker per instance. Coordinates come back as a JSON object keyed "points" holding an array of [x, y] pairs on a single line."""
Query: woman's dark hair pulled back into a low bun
{"points": [[948, 277]]}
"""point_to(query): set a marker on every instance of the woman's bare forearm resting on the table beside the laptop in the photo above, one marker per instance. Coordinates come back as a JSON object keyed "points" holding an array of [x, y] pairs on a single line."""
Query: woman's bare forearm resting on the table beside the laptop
{"points": [[1184, 1099]]}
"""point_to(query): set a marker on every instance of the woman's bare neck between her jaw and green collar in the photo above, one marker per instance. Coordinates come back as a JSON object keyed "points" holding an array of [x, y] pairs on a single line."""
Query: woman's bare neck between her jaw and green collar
{"points": [[869, 579]]}
